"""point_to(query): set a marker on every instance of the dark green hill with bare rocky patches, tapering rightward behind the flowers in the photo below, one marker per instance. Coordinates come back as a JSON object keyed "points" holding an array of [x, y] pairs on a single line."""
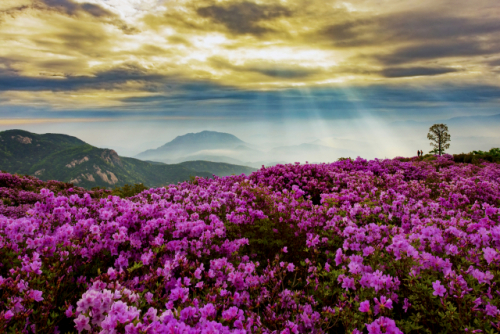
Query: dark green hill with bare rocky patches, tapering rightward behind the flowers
{"points": [[68, 159]]}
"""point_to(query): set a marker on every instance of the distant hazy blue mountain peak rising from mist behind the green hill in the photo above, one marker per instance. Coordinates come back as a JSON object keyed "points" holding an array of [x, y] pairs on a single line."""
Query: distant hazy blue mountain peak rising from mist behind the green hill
{"points": [[191, 143]]}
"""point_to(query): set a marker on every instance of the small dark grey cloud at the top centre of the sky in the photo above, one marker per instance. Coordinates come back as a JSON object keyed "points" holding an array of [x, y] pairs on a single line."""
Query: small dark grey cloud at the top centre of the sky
{"points": [[243, 17]]}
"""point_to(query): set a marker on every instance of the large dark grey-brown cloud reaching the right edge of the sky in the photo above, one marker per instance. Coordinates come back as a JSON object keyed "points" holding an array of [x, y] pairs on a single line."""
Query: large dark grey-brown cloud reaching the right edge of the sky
{"points": [[410, 37]]}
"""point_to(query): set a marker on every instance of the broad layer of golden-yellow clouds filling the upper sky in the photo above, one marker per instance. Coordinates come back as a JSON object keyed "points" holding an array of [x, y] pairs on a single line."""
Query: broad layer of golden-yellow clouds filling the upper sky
{"points": [[64, 49]]}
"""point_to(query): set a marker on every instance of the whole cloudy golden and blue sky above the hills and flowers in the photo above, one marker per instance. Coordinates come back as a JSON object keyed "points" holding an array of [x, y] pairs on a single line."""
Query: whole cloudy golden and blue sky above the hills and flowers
{"points": [[368, 75]]}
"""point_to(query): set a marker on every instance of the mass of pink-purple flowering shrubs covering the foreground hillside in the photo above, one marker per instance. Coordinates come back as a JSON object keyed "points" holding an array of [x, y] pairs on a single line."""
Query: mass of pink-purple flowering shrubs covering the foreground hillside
{"points": [[356, 246]]}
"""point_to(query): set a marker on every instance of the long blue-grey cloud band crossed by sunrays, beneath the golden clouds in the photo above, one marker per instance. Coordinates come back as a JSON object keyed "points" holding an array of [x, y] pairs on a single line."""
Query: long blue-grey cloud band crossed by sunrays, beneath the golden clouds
{"points": [[327, 99]]}
